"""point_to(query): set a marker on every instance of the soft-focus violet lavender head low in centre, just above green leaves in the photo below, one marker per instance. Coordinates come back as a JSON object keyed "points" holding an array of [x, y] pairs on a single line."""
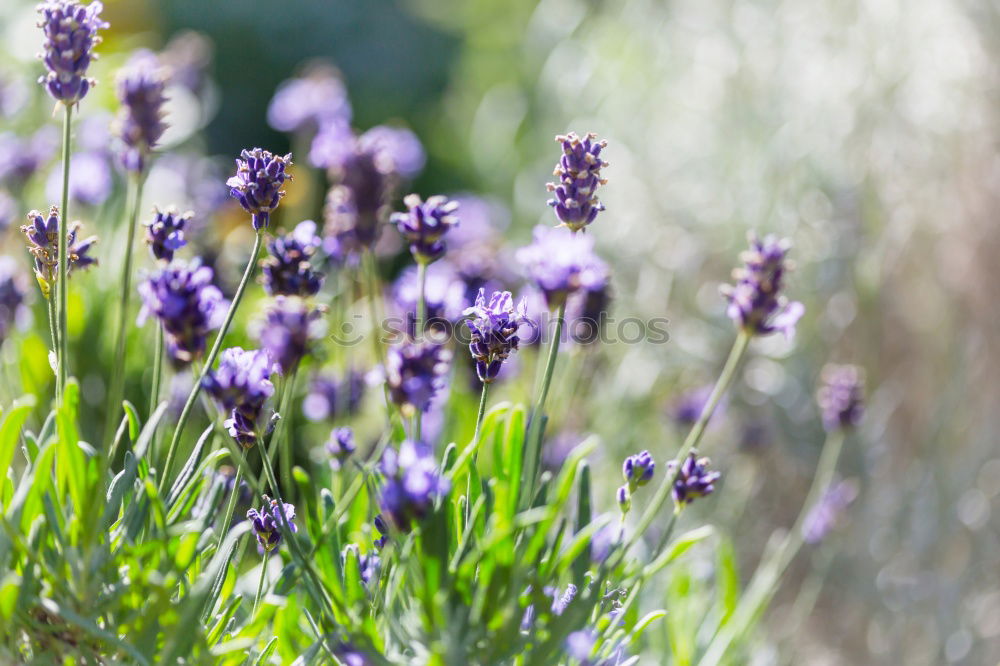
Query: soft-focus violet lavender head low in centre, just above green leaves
{"points": [[412, 483]]}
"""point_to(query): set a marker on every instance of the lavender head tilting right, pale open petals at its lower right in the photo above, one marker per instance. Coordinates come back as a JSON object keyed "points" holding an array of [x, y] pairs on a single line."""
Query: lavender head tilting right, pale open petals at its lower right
{"points": [[756, 303]]}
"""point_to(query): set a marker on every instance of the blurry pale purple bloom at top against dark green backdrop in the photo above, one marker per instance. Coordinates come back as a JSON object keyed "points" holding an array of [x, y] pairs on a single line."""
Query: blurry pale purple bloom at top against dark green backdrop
{"points": [[310, 102]]}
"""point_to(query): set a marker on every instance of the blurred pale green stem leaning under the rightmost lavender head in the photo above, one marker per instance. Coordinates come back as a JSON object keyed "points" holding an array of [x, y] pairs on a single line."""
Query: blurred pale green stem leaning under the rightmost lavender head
{"points": [[765, 580]]}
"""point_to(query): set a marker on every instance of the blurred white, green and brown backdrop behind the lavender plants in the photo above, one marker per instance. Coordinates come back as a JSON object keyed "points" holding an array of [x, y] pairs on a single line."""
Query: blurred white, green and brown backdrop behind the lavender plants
{"points": [[865, 131]]}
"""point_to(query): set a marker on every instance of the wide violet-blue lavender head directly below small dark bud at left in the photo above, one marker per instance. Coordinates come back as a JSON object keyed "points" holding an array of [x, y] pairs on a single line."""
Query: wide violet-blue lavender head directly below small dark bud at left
{"points": [[188, 306]]}
